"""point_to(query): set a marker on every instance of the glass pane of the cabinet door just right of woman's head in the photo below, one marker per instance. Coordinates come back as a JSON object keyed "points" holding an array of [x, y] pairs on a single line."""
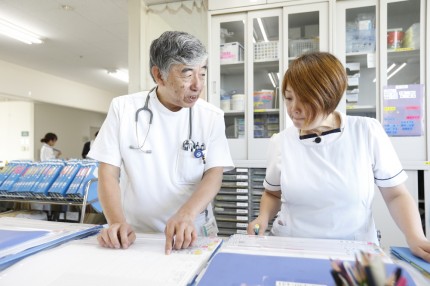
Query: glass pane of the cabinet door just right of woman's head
{"points": [[360, 61]]}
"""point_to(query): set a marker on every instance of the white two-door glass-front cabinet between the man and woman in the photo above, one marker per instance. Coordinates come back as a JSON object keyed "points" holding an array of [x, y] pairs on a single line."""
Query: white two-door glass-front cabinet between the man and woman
{"points": [[244, 78]]}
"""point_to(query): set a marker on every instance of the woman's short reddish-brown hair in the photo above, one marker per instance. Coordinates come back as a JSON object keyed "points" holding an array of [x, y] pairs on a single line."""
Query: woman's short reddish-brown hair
{"points": [[319, 80]]}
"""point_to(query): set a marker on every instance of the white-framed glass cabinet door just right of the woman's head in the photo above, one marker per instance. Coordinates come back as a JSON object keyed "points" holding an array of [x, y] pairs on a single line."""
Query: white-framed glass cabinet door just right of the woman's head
{"points": [[356, 45]]}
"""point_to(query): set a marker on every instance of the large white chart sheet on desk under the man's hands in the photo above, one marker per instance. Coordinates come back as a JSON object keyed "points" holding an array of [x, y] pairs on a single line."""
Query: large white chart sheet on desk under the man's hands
{"points": [[84, 262]]}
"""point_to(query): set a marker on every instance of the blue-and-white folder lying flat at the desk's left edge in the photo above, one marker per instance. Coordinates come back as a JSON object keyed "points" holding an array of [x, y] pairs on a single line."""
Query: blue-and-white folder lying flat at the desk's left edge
{"points": [[20, 237]]}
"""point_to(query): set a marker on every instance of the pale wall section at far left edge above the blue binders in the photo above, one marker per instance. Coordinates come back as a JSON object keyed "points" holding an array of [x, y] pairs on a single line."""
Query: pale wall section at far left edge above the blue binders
{"points": [[17, 130]]}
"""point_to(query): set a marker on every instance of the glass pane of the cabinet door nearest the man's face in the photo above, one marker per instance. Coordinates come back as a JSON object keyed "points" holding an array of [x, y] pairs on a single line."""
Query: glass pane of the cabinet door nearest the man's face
{"points": [[232, 78]]}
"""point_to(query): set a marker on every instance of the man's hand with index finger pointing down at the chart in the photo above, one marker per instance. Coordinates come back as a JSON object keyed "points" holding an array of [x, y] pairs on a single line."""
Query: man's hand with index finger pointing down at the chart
{"points": [[180, 232]]}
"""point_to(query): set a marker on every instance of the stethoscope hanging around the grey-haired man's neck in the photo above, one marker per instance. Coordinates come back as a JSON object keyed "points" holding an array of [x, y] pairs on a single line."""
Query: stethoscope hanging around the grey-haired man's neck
{"points": [[198, 150]]}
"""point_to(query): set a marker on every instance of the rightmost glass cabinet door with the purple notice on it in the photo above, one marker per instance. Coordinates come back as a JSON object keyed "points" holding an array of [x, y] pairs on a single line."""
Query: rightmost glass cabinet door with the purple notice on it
{"points": [[402, 77]]}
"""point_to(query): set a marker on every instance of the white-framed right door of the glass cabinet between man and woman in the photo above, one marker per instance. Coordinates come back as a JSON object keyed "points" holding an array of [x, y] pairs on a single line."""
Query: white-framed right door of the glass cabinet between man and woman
{"points": [[264, 102]]}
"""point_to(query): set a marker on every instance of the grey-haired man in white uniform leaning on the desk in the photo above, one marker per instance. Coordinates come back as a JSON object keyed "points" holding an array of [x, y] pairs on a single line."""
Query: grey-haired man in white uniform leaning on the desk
{"points": [[152, 175]]}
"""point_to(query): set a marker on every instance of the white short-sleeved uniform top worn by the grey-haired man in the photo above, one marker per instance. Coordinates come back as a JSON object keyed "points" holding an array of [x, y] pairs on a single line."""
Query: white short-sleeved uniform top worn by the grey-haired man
{"points": [[157, 179]]}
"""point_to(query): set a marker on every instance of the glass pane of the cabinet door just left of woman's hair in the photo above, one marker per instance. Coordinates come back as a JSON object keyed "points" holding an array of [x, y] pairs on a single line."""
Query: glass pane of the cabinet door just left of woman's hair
{"points": [[266, 76]]}
